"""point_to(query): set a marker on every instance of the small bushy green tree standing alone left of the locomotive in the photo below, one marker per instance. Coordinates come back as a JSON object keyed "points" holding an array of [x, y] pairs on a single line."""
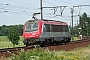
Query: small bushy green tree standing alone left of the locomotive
{"points": [[13, 36]]}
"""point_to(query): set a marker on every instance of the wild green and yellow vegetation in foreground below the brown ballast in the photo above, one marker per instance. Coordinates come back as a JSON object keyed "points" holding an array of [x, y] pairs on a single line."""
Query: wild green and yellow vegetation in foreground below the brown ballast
{"points": [[40, 54]]}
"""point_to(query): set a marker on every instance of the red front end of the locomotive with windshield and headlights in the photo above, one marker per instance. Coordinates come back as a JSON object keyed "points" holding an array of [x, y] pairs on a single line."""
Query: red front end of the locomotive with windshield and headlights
{"points": [[31, 32]]}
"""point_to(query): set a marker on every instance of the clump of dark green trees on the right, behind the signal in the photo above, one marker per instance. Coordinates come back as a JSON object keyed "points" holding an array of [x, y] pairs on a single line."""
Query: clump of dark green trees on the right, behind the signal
{"points": [[84, 24]]}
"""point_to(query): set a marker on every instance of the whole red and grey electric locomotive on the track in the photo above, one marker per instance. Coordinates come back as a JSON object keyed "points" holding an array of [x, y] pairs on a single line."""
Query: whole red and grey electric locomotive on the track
{"points": [[45, 32]]}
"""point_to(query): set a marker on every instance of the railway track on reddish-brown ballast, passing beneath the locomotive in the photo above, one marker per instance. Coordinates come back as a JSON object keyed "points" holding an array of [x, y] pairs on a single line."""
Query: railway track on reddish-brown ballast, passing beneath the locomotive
{"points": [[70, 46]]}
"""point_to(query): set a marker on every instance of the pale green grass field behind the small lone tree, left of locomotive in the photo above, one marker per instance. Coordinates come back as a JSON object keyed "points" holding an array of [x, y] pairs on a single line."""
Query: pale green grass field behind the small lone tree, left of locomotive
{"points": [[5, 43]]}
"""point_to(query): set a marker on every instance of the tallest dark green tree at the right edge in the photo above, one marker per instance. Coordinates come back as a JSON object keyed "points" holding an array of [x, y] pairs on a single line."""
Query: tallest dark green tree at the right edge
{"points": [[84, 24]]}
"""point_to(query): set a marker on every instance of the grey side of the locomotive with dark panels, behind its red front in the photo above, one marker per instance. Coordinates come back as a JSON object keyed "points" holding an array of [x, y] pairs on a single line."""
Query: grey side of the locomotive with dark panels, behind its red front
{"points": [[57, 32]]}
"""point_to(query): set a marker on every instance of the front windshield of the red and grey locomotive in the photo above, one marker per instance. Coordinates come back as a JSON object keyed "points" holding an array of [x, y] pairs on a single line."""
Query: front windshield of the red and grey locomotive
{"points": [[30, 27]]}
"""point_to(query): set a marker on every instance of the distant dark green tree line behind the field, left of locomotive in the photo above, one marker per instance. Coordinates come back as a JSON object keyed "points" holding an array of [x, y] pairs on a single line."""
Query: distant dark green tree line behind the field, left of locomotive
{"points": [[5, 29]]}
